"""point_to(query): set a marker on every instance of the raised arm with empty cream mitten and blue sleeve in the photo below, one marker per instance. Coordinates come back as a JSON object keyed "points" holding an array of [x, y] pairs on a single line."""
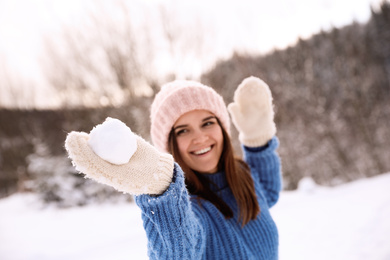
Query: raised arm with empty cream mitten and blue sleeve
{"points": [[253, 115]]}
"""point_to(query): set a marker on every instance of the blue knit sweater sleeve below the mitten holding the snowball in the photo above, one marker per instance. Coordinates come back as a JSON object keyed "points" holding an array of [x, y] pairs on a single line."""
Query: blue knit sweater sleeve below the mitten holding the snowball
{"points": [[172, 229]]}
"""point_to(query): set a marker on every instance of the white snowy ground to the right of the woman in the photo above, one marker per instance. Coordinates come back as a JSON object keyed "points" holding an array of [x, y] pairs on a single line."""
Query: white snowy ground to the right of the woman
{"points": [[351, 221]]}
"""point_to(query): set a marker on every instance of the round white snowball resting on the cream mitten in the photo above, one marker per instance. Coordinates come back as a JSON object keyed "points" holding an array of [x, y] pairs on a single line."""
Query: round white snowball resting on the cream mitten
{"points": [[113, 141]]}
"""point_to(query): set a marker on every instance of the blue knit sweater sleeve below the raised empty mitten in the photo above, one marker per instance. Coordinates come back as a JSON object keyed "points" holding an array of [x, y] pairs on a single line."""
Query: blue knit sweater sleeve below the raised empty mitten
{"points": [[266, 169]]}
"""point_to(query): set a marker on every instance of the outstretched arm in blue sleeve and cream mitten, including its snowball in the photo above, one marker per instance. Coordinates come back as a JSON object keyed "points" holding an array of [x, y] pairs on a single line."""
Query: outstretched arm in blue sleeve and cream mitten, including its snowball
{"points": [[111, 154]]}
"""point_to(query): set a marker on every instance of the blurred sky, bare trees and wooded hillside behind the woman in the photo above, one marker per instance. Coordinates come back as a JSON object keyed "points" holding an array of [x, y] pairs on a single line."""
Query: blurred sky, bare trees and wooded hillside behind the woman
{"points": [[67, 65]]}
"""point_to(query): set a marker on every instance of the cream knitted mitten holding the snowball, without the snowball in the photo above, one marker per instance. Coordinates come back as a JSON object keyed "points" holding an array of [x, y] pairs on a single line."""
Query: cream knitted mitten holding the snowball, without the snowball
{"points": [[147, 172]]}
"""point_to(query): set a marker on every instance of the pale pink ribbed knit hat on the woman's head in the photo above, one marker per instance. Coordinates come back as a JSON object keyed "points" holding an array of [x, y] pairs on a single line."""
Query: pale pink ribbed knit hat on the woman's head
{"points": [[177, 98]]}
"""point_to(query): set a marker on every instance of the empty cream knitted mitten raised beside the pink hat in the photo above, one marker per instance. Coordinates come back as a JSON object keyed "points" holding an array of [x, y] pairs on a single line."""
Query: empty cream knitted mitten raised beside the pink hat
{"points": [[252, 112]]}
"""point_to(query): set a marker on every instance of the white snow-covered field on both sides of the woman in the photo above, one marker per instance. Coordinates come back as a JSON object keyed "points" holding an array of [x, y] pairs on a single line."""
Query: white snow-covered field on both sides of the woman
{"points": [[351, 221]]}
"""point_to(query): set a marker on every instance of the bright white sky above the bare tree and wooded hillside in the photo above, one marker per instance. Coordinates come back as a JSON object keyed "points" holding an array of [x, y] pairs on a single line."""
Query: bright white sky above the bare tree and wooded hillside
{"points": [[247, 26]]}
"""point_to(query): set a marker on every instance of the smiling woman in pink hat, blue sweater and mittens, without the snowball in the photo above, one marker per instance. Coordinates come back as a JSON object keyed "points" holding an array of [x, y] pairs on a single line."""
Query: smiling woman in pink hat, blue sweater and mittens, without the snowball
{"points": [[198, 200]]}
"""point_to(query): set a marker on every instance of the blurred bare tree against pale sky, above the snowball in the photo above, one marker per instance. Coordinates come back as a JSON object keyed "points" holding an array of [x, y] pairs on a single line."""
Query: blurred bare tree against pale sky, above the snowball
{"points": [[100, 62]]}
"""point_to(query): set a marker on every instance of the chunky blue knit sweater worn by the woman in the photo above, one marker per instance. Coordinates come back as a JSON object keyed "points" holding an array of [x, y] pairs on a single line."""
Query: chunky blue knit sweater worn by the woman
{"points": [[178, 227]]}
